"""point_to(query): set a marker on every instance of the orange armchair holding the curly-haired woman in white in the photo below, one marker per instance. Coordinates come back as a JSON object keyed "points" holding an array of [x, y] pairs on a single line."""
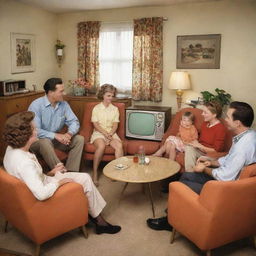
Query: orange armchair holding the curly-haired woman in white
{"points": [[67, 209]]}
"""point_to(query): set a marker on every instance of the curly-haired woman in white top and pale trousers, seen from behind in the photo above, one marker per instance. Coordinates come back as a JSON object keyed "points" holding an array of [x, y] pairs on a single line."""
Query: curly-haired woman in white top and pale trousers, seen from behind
{"points": [[19, 133]]}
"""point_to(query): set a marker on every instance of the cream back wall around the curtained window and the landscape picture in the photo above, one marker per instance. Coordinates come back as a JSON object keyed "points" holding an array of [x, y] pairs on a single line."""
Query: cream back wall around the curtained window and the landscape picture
{"points": [[234, 19]]}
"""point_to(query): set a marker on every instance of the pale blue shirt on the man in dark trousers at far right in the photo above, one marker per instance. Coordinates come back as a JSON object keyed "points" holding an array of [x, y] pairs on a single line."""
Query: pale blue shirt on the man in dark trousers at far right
{"points": [[241, 153]]}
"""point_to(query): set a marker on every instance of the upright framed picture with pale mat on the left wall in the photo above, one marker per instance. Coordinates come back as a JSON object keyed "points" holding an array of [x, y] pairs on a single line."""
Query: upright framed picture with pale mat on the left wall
{"points": [[22, 53]]}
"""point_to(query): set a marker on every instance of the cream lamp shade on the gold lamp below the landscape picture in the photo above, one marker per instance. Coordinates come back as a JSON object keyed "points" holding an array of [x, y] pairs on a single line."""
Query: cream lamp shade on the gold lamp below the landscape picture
{"points": [[179, 80]]}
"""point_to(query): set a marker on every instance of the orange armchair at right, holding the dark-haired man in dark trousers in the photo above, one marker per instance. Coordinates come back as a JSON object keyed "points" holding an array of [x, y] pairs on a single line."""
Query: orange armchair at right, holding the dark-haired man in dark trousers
{"points": [[222, 213]]}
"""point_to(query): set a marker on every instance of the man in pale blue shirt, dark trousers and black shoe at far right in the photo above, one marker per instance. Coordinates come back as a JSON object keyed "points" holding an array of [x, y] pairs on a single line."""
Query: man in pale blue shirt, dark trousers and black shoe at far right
{"points": [[242, 152]]}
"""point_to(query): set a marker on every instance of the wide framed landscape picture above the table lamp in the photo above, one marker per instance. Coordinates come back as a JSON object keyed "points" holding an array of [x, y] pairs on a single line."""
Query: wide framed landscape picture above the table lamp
{"points": [[198, 51]]}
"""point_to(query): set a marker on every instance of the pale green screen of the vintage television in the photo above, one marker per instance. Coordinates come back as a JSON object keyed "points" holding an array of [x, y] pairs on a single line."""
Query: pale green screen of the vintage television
{"points": [[141, 123]]}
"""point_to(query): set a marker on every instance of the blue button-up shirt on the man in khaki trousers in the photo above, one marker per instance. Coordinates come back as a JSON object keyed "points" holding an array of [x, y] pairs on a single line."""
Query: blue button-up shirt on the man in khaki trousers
{"points": [[49, 119]]}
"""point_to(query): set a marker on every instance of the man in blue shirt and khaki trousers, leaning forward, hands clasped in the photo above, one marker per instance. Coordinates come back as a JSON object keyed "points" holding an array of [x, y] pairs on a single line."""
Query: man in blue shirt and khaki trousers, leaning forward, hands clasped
{"points": [[52, 113]]}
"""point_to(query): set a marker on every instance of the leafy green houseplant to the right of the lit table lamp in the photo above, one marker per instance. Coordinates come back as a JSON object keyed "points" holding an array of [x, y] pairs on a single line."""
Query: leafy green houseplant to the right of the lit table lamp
{"points": [[221, 96]]}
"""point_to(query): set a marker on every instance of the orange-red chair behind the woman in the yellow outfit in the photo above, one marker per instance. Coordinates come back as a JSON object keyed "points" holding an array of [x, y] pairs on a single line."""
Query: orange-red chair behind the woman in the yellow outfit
{"points": [[87, 129]]}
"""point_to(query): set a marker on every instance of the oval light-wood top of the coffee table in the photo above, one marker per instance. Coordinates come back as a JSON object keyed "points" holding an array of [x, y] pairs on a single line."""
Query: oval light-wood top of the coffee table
{"points": [[159, 168]]}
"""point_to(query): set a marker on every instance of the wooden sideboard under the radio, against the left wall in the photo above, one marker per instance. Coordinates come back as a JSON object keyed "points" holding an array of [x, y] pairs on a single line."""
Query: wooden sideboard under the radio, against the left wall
{"points": [[10, 105]]}
